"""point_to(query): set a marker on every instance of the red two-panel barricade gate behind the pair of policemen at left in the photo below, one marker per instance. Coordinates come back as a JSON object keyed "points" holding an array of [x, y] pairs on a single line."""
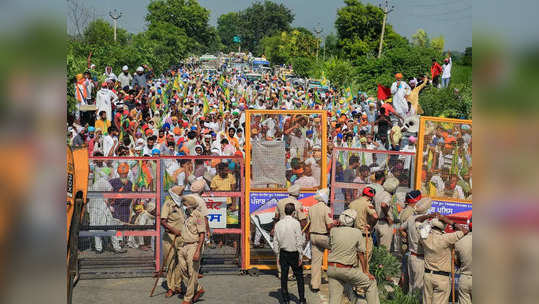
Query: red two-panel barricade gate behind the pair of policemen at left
{"points": [[121, 235]]}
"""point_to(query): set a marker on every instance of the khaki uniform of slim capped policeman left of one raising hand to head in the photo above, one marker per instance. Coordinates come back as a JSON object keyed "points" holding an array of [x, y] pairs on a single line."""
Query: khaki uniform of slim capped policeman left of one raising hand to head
{"points": [[415, 258]]}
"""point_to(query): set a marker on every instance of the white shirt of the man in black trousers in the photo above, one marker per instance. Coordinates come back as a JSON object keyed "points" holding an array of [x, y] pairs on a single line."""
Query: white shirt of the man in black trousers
{"points": [[288, 235]]}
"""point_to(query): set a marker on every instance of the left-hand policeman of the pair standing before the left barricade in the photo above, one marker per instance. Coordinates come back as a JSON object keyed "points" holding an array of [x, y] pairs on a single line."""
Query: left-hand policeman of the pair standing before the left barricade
{"points": [[172, 219]]}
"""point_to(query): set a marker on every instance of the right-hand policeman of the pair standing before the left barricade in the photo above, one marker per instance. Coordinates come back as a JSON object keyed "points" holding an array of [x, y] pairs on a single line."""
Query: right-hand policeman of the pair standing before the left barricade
{"points": [[193, 234]]}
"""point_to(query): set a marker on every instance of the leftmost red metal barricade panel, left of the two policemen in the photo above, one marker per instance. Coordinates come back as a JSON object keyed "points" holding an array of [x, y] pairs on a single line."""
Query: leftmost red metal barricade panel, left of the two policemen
{"points": [[119, 235]]}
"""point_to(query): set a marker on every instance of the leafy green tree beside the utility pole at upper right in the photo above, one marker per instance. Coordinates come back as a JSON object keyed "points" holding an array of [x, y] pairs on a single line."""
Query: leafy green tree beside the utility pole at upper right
{"points": [[359, 28]]}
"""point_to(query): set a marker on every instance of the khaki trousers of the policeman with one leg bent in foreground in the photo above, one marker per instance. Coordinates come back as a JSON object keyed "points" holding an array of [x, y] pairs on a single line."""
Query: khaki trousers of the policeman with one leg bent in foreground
{"points": [[338, 277]]}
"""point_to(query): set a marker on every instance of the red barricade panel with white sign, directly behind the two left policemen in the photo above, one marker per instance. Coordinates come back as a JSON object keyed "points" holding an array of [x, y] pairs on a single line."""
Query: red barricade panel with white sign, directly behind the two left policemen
{"points": [[224, 252]]}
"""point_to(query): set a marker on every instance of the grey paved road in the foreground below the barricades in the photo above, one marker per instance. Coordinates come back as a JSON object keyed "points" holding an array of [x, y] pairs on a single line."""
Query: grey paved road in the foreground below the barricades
{"points": [[223, 289]]}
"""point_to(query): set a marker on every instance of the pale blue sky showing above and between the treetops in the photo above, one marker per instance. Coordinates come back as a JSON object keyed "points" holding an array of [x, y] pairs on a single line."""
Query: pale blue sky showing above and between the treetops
{"points": [[451, 19]]}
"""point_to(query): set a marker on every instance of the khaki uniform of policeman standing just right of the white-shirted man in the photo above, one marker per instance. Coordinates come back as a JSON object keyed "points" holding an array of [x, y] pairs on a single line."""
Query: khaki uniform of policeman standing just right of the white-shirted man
{"points": [[319, 218]]}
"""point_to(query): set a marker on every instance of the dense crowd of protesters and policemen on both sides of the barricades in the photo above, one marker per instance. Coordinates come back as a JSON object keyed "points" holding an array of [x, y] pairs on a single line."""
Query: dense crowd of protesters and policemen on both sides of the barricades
{"points": [[187, 111]]}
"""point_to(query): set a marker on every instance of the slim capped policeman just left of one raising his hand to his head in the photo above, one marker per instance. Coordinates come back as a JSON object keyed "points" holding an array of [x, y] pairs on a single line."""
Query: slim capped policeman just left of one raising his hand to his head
{"points": [[415, 257]]}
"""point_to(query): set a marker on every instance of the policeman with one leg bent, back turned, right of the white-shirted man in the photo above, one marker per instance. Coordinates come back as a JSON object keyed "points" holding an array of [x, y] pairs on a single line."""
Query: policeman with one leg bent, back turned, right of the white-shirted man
{"points": [[347, 246]]}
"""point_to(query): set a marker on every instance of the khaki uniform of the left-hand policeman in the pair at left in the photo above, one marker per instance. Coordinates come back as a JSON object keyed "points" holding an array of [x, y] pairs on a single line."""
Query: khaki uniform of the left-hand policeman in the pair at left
{"points": [[175, 218]]}
